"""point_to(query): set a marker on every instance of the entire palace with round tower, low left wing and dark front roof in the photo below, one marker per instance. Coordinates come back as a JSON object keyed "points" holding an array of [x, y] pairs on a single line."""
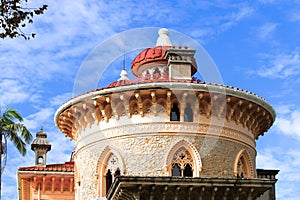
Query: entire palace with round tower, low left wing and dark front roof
{"points": [[166, 136]]}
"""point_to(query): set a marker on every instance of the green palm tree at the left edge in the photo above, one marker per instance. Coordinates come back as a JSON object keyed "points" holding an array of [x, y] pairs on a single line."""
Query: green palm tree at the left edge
{"points": [[12, 128]]}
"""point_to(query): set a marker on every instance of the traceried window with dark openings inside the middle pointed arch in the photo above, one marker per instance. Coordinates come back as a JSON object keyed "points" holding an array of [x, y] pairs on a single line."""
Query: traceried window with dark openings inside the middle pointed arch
{"points": [[182, 163]]}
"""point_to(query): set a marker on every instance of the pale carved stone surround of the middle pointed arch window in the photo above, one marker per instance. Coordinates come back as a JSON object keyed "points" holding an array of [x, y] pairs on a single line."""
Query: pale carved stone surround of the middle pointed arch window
{"points": [[193, 162]]}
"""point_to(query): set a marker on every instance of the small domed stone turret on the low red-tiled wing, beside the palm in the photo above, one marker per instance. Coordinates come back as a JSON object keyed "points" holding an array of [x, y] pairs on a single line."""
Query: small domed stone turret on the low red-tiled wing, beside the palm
{"points": [[40, 146]]}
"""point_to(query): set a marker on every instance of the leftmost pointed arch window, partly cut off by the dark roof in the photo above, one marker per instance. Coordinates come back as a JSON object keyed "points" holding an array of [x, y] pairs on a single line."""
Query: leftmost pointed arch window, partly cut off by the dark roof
{"points": [[110, 164]]}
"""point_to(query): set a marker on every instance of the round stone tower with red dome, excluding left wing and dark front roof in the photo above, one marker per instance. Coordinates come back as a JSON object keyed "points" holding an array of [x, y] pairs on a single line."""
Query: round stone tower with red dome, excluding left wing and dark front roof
{"points": [[166, 124]]}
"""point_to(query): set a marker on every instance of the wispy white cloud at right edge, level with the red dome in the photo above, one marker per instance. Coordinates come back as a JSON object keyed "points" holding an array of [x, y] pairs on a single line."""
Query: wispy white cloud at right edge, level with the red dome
{"points": [[281, 65]]}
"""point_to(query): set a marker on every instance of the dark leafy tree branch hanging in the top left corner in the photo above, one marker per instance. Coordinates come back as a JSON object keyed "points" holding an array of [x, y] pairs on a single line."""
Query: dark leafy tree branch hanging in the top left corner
{"points": [[15, 15]]}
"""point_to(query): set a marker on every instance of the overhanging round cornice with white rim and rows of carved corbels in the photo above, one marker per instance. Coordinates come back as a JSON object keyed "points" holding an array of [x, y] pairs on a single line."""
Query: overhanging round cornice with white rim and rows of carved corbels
{"points": [[241, 106]]}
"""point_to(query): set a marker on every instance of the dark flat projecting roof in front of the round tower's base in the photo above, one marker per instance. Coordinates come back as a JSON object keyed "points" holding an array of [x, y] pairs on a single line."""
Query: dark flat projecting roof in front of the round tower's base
{"points": [[125, 187]]}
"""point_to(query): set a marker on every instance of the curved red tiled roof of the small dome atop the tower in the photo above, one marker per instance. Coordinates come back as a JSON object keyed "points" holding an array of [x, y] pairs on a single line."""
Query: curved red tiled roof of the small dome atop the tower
{"points": [[148, 55]]}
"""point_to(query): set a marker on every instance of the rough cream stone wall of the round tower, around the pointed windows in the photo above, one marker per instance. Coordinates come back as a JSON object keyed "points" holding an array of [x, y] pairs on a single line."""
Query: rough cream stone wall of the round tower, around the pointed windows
{"points": [[143, 149]]}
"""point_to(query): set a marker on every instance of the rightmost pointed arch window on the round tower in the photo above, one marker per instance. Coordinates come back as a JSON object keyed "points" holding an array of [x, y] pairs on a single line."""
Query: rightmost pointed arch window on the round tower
{"points": [[243, 166]]}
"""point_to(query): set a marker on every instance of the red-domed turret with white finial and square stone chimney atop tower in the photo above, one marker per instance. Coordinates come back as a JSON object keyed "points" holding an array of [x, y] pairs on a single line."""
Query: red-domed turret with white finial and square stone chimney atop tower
{"points": [[165, 61]]}
